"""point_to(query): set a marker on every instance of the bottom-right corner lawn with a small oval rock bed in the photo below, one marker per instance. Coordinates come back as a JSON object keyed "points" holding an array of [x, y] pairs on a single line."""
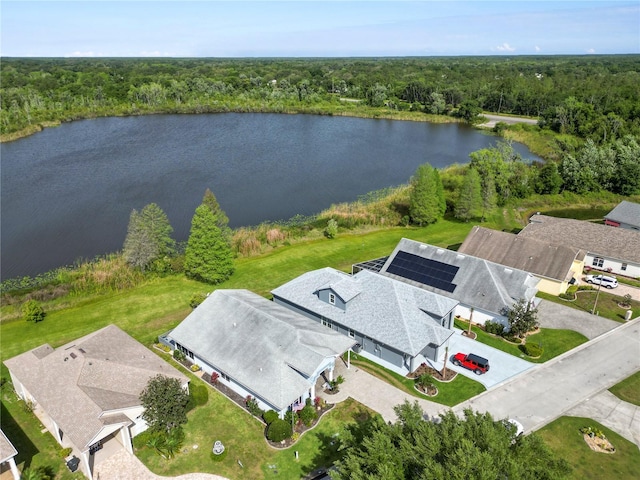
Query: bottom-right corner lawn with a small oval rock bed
{"points": [[564, 438]]}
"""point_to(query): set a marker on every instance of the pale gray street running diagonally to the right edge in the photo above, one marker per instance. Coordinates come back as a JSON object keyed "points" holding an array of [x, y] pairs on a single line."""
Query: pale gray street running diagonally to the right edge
{"points": [[552, 389]]}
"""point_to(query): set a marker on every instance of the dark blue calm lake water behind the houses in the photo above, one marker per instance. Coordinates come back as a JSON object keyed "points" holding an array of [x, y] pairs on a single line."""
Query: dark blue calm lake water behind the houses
{"points": [[67, 192]]}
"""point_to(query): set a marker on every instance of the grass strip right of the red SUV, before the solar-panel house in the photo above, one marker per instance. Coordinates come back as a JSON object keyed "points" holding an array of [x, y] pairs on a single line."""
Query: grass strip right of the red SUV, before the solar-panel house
{"points": [[554, 342]]}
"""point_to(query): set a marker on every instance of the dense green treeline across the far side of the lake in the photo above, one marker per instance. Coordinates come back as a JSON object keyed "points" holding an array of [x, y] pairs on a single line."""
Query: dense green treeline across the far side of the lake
{"points": [[595, 97]]}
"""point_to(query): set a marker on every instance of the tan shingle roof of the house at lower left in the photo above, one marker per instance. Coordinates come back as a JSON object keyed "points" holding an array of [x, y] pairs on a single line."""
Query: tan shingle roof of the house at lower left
{"points": [[78, 382]]}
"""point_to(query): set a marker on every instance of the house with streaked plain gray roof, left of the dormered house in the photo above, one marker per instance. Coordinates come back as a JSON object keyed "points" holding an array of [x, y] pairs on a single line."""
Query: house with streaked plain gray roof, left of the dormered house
{"points": [[258, 348]]}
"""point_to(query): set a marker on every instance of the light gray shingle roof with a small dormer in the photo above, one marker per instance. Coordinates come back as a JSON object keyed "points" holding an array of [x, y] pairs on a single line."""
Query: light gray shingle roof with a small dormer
{"points": [[396, 314]]}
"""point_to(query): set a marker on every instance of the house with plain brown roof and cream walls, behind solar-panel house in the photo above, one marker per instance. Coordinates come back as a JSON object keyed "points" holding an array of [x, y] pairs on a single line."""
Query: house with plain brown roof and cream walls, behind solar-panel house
{"points": [[556, 266]]}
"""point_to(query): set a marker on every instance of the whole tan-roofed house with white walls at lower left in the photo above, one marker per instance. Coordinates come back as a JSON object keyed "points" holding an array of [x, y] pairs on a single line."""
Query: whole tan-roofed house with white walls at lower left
{"points": [[87, 392]]}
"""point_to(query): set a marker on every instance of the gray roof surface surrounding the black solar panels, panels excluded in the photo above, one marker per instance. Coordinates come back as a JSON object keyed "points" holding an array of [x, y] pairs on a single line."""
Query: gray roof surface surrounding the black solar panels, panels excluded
{"points": [[478, 283]]}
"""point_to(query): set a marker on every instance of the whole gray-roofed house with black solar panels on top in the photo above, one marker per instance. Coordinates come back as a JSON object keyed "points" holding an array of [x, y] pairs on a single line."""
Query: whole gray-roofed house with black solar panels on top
{"points": [[485, 290]]}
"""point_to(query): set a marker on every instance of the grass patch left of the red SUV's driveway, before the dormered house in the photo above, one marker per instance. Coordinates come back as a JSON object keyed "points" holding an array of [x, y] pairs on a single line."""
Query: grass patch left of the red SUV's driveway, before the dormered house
{"points": [[449, 393]]}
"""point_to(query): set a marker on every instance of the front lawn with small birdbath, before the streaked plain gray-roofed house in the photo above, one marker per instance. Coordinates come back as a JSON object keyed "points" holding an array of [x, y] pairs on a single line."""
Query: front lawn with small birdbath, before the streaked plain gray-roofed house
{"points": [[243, 438]]}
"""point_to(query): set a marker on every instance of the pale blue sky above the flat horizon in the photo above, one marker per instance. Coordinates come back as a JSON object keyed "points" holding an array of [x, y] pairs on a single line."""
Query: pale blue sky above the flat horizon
{"points": [[364, 28]]}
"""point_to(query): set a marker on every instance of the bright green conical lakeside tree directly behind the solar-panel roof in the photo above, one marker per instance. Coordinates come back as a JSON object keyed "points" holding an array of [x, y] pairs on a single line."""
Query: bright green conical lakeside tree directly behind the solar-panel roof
{"points": [[426, 203]]}
